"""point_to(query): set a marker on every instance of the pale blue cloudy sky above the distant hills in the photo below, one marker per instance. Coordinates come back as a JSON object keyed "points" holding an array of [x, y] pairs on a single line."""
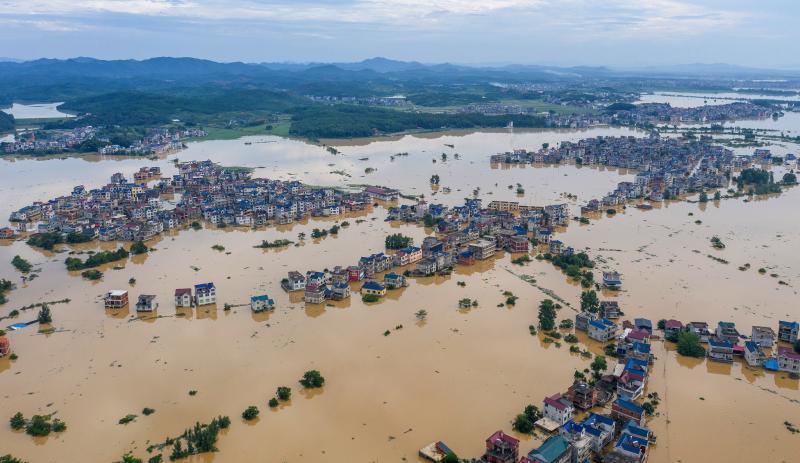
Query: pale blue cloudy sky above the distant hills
{"points": [[617, 33]]}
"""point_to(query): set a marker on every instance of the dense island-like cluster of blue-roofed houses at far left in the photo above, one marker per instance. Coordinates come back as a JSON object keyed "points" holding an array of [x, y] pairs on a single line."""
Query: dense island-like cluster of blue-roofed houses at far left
{"points": [[134, 210]]}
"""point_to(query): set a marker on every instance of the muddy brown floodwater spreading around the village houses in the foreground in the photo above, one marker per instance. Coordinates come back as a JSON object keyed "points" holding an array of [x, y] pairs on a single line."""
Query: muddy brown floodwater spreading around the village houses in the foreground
{"points": [[457, 377]]}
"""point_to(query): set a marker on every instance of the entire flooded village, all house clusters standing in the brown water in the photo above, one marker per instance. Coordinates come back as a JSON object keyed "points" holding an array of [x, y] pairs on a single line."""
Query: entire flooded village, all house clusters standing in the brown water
{"points": [[599, 415]]}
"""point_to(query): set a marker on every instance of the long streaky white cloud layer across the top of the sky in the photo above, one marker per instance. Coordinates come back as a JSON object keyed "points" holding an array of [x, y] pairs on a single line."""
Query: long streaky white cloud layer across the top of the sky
{"points": [[621, 18]]}
